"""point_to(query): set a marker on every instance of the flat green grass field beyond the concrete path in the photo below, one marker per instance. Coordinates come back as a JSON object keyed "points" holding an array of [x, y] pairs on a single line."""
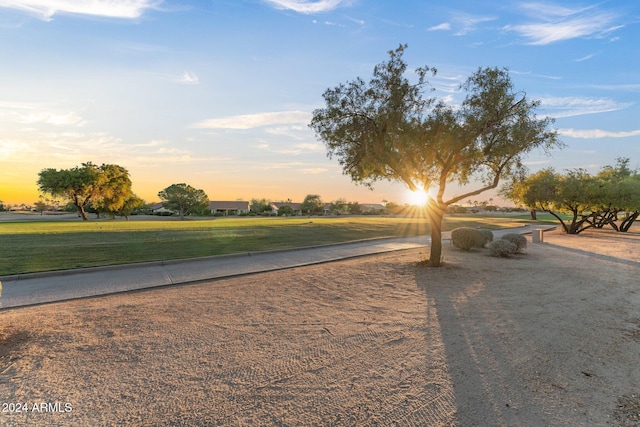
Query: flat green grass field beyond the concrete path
{"points": [[35, 246]]}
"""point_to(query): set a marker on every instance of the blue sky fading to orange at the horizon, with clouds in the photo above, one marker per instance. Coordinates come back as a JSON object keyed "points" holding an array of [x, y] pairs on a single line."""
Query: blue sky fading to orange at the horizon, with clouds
{"points": [[218, 94]]}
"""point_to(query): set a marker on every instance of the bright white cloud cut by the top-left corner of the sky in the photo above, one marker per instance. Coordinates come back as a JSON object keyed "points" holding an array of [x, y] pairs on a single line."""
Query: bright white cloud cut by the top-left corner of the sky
{"points": [[46, 9]]}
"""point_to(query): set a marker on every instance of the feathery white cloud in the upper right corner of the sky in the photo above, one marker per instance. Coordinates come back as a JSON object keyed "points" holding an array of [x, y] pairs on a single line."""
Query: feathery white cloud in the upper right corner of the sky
{"points": [[557, 23]]}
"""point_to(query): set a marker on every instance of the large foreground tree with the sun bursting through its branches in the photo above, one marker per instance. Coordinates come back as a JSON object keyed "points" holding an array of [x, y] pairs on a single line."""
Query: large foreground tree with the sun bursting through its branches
{"points": [[388, 129]]}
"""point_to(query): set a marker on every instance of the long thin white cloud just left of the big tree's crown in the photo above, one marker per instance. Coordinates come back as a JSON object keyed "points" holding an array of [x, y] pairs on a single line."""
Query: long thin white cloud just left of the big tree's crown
{"points": [[250, 121]]}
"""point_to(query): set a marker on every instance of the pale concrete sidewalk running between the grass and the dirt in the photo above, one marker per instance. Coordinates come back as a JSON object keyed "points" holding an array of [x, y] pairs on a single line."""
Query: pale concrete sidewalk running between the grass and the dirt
{"points": [[40, 288]]}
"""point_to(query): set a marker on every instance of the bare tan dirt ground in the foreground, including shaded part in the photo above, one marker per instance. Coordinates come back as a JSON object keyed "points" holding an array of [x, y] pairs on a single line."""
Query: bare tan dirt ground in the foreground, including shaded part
{"points": [[547, 338]]}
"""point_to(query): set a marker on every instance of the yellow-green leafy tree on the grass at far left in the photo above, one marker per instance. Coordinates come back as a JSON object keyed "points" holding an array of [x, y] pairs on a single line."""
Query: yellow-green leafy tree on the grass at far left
{"points": [[87, 184]]}
